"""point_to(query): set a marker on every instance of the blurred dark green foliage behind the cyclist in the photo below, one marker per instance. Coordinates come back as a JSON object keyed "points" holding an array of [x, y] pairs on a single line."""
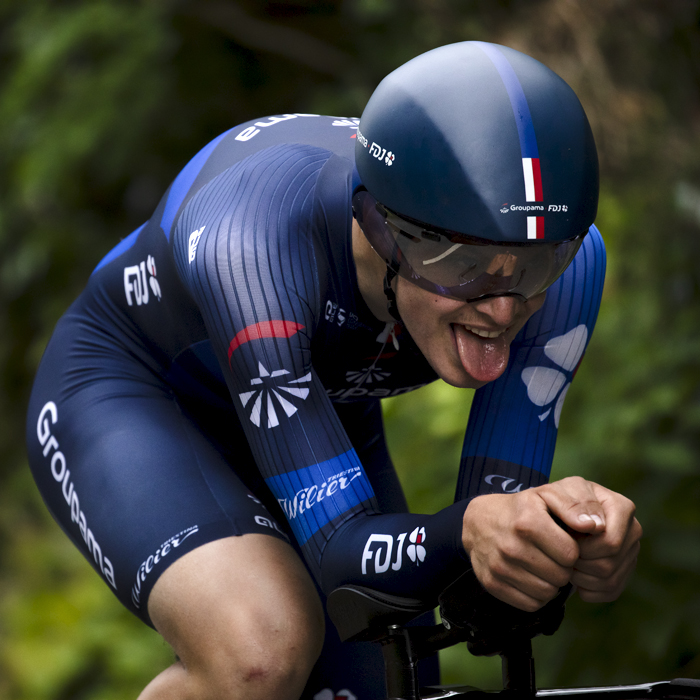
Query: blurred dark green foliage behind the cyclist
{"points": [[103, 101]]}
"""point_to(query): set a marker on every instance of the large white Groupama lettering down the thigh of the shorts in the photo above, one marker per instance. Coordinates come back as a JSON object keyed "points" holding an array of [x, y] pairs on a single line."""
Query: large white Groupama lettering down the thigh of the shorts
{"points": [[61, 474]]}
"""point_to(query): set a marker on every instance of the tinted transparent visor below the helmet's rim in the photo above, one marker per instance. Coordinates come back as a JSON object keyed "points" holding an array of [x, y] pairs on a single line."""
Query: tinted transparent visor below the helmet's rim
{"points": [[459, 266]]}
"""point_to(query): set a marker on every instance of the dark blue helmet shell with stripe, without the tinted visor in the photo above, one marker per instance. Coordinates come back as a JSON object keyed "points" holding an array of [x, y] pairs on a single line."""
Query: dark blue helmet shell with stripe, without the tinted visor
{"points": [[481, 140]]}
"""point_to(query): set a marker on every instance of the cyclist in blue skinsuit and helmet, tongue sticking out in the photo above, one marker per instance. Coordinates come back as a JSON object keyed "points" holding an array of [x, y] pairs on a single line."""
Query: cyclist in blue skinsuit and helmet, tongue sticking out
{"points": [[206, 416]]}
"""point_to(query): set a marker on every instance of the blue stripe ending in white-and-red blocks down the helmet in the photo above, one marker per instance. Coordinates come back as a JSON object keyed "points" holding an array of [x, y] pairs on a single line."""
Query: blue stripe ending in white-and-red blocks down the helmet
{"points": [[526, 134]]}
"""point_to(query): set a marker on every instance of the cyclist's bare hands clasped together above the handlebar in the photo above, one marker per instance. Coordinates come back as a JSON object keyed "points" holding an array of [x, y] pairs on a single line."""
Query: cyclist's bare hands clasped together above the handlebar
{"points": [[523, 557]]}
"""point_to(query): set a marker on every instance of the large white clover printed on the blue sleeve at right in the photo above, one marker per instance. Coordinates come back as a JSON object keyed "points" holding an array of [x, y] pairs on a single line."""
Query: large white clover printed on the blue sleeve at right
{"points": [[544, 384]]}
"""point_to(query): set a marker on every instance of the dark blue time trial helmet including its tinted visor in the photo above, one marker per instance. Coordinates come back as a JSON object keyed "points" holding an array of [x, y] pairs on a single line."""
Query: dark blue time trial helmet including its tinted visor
{"points": [[479, 172]]}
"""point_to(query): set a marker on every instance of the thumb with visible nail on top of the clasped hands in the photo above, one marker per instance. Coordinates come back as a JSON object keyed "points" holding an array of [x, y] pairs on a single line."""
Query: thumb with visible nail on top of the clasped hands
{"points": [[575, 502]]}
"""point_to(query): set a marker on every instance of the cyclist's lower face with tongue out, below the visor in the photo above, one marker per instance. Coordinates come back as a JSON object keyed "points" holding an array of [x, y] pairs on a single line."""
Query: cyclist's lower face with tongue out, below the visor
{"points": [[447, 332]]}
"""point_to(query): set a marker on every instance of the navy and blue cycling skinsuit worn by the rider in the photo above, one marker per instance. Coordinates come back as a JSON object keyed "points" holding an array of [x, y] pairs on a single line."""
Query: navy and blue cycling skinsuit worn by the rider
{"points": [[221, 375]]}
